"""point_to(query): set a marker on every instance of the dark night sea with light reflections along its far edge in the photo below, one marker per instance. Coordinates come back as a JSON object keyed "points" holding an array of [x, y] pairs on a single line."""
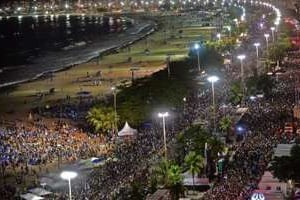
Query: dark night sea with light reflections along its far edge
{"points": [[34, 45]]}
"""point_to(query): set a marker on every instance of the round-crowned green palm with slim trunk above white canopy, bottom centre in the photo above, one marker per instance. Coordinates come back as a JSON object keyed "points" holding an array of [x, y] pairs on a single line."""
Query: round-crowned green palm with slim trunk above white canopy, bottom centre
{"points": [[194, 163]]}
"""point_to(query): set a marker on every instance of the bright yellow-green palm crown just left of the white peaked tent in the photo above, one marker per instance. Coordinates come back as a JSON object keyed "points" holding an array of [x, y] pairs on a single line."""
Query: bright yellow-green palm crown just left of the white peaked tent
{"points": [[101, 119]]}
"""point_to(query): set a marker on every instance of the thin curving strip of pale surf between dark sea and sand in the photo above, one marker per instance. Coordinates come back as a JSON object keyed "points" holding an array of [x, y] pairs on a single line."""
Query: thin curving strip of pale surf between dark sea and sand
{"points": [[105, 51]]}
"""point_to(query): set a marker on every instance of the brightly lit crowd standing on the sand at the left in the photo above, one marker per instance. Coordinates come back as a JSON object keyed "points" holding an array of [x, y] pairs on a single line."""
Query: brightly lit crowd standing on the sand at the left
{"points": [[23, 146]]}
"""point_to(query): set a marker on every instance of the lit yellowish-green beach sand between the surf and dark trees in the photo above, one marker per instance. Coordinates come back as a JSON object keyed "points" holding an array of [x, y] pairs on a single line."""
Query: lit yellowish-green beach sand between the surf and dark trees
{"points": [[115, 68]]}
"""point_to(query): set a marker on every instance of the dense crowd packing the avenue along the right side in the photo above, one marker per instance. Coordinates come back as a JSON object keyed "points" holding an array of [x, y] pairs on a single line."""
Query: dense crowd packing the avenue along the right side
{"points": [[266, 119]]}
